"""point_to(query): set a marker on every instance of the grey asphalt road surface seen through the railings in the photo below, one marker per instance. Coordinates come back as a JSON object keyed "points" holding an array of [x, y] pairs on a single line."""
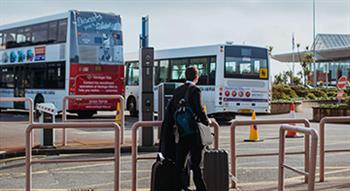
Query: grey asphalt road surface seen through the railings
{"points": [[254, 173]]}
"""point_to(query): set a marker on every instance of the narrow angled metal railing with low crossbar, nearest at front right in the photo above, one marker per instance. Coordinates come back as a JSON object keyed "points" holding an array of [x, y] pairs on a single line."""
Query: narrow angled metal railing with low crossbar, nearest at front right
{"points": [[313, 156]]}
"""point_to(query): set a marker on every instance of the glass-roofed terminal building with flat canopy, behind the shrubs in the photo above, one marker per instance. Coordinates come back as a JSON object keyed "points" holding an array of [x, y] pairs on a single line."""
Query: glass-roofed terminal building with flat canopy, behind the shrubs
{"points": [[332, 58]]}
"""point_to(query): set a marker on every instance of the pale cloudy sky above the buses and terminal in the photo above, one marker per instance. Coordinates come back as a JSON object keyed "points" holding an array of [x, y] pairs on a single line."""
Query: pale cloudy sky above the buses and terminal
{"points": [[184, 23]]}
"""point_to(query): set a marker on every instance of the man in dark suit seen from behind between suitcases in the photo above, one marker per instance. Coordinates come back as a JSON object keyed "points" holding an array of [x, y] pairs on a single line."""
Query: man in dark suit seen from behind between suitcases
{"points": [[189, 142]]}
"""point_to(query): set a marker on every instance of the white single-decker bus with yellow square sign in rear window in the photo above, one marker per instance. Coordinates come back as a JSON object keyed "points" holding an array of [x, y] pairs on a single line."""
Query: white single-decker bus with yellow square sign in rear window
{"points": [[233, 78]]}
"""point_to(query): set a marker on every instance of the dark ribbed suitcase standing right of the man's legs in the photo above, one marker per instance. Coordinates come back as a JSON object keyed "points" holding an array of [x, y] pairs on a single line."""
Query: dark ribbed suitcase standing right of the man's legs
{"points": [[215, 170]]}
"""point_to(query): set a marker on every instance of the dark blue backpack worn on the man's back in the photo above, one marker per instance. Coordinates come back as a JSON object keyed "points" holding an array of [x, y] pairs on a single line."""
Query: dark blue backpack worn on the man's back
{"points": [[184, 116]]}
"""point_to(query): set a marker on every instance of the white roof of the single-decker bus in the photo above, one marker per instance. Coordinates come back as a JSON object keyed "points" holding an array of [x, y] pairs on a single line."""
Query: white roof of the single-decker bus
{"points": [[205, 50]]}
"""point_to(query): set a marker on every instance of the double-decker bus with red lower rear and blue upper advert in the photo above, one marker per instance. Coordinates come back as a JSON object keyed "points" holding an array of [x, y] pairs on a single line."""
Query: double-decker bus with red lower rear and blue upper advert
{"points": [[72, 53]]}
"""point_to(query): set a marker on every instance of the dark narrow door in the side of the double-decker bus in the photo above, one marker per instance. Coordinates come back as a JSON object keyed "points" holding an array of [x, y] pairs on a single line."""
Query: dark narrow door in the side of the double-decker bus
{"points": [[19, 86]]}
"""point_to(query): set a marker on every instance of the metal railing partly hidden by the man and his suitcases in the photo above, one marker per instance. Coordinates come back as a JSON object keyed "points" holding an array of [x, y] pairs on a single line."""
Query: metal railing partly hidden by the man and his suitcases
{"points": [[151, 124]]}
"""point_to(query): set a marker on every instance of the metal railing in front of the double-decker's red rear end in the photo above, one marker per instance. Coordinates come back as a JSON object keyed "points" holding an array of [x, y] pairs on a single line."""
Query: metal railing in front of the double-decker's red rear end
{"points": [[64, 113]]}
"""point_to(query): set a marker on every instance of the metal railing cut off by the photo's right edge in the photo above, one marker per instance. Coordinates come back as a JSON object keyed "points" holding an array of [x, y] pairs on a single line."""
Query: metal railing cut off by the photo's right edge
{"points": [[322, 140]]}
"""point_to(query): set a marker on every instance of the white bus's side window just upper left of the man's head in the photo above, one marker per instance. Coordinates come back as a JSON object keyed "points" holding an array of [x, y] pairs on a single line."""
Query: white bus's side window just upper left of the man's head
{"points": [[178, 68]]}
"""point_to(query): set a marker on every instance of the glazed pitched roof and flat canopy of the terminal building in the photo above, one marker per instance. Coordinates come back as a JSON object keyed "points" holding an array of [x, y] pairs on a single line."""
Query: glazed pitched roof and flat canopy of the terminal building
{"points": [[328, 47]]}
